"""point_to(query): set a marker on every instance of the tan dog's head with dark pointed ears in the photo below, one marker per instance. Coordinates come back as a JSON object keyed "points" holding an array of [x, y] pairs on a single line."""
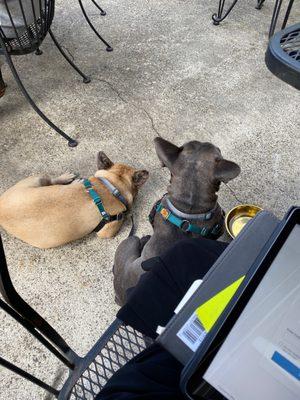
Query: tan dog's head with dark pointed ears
{"points": [[136, 178]]}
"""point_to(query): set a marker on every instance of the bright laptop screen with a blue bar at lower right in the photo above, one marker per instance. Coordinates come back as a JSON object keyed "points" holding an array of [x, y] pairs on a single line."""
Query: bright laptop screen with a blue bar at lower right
{"points": [[260, 358]]}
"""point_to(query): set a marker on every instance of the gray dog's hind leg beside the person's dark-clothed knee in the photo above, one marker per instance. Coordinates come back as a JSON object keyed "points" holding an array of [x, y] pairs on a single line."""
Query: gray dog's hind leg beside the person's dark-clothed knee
{"points": [[127, 267]]}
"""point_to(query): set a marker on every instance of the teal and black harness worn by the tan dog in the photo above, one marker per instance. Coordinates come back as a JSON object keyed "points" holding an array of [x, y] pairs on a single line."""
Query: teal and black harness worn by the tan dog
{"points": [[106, 217]]}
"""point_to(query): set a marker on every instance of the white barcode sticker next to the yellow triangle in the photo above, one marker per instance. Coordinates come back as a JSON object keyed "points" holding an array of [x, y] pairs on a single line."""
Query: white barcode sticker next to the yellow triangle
{"points": [[192, 333]]}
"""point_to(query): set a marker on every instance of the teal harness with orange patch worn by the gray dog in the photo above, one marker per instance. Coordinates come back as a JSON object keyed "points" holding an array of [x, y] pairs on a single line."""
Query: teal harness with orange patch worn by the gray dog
{"points": [[181, 220]]}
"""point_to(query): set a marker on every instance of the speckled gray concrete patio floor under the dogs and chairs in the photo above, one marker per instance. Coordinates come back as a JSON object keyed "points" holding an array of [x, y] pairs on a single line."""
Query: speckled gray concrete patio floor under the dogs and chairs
{"points": [[171, 72]]}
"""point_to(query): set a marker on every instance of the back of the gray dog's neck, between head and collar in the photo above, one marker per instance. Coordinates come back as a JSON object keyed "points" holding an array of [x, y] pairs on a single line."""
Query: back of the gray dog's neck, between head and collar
{"points": [[193, 200]]}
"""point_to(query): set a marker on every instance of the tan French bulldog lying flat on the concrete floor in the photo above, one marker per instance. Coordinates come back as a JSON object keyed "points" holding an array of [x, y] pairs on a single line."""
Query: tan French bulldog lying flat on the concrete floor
{"points": [[49, 212]]}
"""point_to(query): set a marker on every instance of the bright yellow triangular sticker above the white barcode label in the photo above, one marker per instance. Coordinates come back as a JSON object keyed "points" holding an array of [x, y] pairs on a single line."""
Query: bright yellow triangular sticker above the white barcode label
{"points": [[209, 312]]}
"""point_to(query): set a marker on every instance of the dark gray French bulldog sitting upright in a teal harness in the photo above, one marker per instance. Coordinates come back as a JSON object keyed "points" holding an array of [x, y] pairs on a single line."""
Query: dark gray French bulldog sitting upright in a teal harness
{"points": [[189, 209]]}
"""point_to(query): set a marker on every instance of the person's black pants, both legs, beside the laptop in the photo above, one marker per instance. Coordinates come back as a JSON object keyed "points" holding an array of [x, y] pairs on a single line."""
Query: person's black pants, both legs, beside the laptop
{"points": [[155, 374]]}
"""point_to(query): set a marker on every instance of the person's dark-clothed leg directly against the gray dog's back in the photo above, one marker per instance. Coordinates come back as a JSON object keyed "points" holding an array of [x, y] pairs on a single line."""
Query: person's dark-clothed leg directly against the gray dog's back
{"points": [[153, 300]]}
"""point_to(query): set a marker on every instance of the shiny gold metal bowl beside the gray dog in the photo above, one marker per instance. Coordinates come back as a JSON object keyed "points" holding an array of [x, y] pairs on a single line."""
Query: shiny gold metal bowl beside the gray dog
{"points": [[238, 217]]}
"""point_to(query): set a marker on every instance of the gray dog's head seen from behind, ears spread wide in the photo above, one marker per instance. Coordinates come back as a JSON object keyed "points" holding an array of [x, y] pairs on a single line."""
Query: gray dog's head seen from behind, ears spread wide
{"points": [[196, 163]]}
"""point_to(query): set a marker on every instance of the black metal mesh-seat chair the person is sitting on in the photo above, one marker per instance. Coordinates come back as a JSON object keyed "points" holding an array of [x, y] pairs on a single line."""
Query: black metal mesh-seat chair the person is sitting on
{"points": [[87, 375]]}
